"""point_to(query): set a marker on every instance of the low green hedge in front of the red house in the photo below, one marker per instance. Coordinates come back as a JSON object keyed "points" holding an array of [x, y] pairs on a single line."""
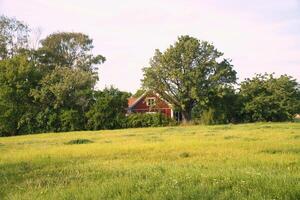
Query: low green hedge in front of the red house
{"points": [[137, 120]]}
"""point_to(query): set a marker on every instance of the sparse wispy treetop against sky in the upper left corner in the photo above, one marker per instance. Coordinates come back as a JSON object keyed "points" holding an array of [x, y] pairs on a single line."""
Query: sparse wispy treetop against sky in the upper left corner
{"points": [[14, 37]]}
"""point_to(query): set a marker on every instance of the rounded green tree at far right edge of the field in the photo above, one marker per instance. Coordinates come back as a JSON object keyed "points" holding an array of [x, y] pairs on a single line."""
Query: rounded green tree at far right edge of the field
{"points": [[266, 98]]}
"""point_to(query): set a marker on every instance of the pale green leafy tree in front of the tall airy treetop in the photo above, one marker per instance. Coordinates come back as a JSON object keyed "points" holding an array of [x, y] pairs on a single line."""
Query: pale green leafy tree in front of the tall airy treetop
{"points": [[64, 93]]}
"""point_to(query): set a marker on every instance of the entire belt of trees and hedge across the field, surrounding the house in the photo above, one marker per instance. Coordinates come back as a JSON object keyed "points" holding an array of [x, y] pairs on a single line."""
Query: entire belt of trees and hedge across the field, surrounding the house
{"points": [[51, 88]]}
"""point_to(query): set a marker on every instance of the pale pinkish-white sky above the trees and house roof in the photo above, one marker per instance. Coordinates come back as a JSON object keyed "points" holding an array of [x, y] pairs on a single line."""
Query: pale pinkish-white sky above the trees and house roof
{"points": [[258, 35]]}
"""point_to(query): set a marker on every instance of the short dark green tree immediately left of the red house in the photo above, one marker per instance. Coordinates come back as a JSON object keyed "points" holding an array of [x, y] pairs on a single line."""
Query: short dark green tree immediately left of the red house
{"points": [[108, 110]]}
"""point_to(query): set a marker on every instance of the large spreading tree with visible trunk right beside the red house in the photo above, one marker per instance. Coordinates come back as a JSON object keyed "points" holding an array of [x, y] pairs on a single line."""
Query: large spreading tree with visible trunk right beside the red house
{"points": [[187, 72]]}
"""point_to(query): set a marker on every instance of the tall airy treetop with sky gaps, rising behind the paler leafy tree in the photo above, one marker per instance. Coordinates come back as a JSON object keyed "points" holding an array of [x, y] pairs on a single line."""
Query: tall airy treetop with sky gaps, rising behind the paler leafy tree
{"points": [[72, 50]]}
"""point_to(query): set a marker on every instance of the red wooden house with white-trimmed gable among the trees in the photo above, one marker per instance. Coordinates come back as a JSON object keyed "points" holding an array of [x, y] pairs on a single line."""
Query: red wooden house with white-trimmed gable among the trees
{"points": [[150, 102]]}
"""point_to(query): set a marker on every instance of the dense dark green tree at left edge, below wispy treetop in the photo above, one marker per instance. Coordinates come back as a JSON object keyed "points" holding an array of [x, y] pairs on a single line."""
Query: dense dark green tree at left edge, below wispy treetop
{"points": [[18, 76]]}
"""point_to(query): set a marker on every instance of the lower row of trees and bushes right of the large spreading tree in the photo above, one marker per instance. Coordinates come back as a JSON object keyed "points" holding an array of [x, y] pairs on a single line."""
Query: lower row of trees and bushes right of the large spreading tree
{"points": [[263, 98]]}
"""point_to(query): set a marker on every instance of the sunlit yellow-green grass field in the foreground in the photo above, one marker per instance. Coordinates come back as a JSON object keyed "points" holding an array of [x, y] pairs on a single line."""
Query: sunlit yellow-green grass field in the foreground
{"points": [[251, 161]]}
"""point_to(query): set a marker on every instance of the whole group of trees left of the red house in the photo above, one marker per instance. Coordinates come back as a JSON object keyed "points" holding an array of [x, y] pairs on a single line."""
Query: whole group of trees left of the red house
{"points": [[52, 88]]}
